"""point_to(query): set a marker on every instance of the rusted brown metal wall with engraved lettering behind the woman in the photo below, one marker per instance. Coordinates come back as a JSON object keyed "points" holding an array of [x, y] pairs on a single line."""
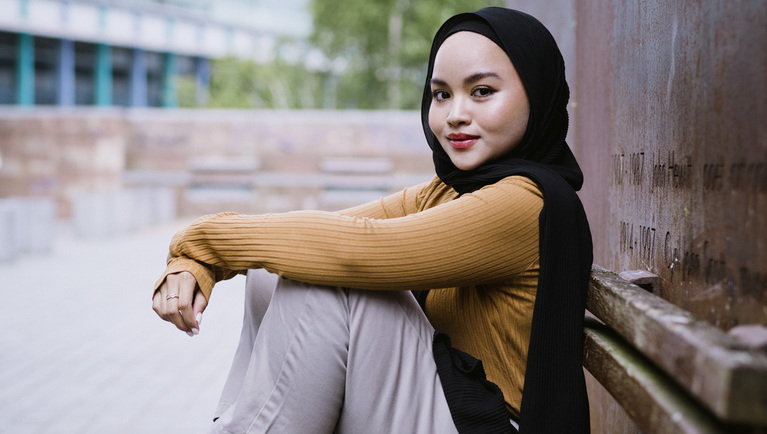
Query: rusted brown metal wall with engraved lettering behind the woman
{"points": [[669, 123]]}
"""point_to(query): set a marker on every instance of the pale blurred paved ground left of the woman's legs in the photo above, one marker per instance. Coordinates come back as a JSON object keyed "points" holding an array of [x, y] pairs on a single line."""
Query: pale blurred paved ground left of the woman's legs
{"points": [[81, 350]]}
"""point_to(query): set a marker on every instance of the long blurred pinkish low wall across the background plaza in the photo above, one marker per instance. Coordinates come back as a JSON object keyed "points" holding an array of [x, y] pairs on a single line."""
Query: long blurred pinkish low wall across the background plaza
{"points": [[213, 160]]}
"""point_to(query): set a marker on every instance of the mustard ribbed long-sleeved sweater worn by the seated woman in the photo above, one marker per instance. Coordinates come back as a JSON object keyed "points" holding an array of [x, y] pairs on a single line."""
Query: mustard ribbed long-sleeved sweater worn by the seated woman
{"points": [[477, 253]]}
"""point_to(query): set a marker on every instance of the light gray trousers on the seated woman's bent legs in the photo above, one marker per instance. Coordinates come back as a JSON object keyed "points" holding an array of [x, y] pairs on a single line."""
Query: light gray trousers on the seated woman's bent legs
{"points": [[319, 360]]}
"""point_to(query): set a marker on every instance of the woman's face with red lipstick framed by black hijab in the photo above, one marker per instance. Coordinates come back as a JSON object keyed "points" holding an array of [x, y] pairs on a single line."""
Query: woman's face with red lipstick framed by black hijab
{"points": [[479, 108]]}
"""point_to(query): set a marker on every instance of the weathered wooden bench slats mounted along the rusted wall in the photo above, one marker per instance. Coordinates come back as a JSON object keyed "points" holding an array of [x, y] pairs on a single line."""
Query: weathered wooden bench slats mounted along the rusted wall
{"points": [[670, 372]]}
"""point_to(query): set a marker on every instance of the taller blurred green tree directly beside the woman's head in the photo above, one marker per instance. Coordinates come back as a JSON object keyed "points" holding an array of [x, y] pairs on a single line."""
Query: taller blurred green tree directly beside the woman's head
{"points": [[385, 44]]}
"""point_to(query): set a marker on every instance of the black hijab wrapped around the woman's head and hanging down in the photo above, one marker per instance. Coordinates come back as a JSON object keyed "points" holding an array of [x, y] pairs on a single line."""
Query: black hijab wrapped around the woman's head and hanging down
{"points": [[554, 396]]}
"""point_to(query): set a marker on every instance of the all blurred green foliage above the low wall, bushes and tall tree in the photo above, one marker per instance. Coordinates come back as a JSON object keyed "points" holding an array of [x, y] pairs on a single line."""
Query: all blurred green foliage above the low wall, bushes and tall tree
{"points": [[383, 45]]}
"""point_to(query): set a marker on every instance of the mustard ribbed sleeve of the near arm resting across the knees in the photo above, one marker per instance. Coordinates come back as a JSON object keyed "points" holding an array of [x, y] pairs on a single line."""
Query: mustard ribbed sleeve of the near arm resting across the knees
{"points": [[484, 237]]}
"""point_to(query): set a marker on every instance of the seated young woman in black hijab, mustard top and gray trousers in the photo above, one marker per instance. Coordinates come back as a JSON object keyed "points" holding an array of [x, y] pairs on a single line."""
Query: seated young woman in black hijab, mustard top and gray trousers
{"points": [[496, 247]]}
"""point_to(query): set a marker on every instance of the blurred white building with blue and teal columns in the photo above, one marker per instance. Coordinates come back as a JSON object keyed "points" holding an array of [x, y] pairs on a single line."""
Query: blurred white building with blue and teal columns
{"points": [[132, 53]]}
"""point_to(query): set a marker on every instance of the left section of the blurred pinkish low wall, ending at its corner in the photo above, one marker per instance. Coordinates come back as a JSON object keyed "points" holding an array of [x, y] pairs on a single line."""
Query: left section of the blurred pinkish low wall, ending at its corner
{"points": [[51, 153]]}
